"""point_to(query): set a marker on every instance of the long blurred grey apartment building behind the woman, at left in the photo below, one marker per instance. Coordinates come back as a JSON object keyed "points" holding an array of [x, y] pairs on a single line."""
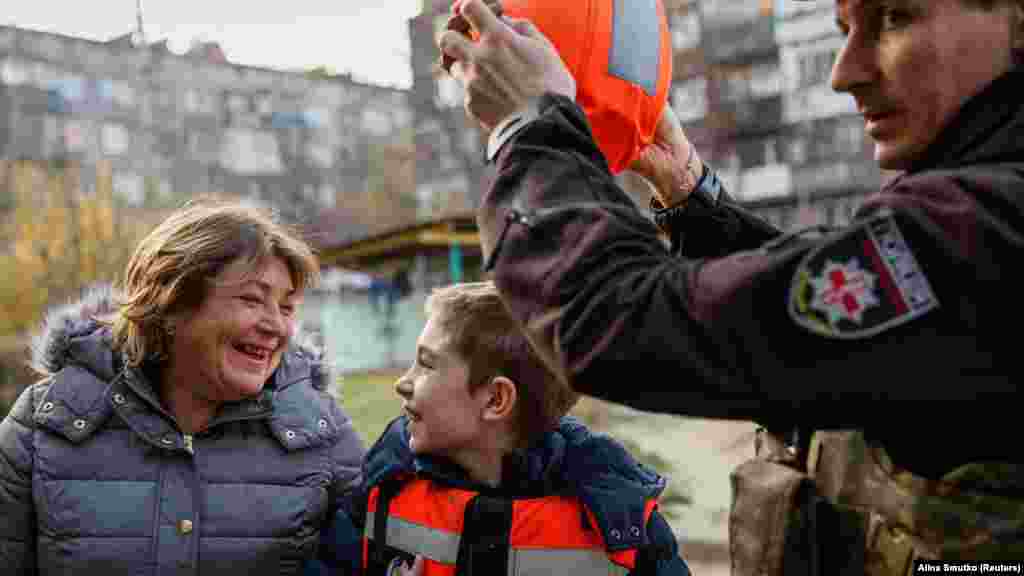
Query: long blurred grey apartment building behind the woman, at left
{"points": [[174, 126]]}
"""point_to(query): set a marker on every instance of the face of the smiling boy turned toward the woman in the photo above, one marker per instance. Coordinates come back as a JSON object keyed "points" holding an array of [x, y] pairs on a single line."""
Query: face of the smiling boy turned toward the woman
{"points": [[444, 418]]}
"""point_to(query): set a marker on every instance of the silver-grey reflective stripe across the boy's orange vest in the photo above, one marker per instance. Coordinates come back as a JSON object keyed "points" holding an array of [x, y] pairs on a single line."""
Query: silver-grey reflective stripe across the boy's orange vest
{"points": [[443, 547]]}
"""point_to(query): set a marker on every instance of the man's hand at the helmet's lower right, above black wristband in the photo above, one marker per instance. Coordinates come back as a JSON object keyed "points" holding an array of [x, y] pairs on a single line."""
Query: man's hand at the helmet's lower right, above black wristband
{"points": [[670, 163]]}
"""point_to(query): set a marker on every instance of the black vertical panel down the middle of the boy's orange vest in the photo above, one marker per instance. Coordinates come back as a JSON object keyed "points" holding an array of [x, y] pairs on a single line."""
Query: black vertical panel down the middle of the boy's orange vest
{"points": [[484, 549]]}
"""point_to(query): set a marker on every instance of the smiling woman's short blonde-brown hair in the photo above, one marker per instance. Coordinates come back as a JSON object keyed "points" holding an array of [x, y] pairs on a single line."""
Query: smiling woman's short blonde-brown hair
{"points": [[173, 267]]}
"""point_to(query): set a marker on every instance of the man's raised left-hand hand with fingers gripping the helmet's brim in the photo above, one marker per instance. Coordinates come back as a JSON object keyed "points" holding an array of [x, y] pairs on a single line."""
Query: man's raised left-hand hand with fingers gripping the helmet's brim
{"points": [[509, 67]]}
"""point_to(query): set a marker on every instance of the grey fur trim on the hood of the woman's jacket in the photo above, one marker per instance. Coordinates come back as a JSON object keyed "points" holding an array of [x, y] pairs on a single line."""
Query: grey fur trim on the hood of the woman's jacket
{"points": [[74, 334]]}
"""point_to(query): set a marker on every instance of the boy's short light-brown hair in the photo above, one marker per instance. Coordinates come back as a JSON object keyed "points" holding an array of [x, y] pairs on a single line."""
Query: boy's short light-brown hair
{"points": [[484, 334]]}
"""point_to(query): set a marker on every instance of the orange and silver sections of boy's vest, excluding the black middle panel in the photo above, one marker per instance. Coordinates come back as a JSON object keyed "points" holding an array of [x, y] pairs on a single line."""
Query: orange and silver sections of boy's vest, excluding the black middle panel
{"points": [[545, 536]]}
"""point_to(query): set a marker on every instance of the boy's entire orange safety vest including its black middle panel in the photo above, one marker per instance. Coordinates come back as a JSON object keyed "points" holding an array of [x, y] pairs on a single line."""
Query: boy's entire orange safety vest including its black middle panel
{"points": [[465, 533]]}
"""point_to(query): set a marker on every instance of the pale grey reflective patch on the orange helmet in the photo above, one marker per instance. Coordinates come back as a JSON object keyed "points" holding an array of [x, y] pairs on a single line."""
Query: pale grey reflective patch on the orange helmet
{"points": [[636, 37]]}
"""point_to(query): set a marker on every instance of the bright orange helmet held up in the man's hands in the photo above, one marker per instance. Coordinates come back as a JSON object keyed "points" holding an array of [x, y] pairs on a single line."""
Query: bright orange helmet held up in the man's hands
{"points": [[621, 60]]}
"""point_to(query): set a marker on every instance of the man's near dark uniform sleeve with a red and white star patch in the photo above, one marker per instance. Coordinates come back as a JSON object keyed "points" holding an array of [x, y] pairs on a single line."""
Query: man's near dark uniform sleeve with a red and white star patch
{"points": [[890, 309]]}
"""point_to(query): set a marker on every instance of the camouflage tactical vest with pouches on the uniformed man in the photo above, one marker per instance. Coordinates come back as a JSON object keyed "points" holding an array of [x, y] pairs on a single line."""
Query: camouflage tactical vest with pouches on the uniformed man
{"points": [[842, 507]]}
